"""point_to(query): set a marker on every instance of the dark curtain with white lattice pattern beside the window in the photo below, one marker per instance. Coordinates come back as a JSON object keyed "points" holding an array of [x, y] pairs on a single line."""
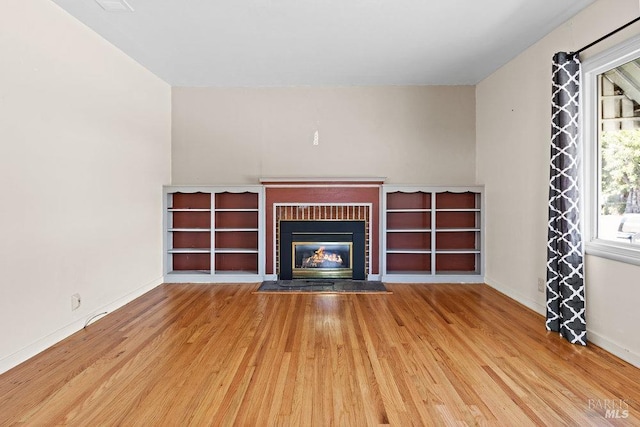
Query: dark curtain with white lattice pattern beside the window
{"points": [[565, 278]]}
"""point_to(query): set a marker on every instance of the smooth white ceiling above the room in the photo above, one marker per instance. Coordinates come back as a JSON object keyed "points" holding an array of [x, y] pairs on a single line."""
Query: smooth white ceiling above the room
{"points": [[324, 42]]}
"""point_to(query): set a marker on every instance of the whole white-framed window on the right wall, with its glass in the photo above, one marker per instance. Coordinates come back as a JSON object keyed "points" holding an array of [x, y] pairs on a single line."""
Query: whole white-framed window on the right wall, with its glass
{"points": [[611, 135]]}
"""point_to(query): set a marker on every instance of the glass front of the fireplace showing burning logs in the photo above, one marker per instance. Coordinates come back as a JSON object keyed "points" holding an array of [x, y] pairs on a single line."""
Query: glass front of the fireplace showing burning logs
{"points": [[322, 259]]}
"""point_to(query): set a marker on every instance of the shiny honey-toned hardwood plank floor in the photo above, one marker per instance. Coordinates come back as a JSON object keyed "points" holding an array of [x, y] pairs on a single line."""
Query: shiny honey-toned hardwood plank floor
{"points": [[221, 355]]}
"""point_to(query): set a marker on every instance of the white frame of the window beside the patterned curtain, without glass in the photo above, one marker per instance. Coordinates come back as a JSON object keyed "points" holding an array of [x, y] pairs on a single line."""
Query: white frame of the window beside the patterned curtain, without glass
{"points": [[591, 68]]}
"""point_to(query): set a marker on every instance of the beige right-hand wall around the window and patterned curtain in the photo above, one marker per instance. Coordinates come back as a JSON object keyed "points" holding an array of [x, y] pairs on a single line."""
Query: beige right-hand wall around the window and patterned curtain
{"points": [[513, 134]]}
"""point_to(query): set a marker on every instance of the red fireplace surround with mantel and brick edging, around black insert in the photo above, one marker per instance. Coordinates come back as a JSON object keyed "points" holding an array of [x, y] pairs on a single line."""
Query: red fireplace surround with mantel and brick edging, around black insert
{"points": [[322, 199]]}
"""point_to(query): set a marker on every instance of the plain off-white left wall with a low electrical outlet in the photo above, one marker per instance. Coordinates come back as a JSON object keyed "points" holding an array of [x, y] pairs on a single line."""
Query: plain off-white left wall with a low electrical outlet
{"points": [[84, 152]]}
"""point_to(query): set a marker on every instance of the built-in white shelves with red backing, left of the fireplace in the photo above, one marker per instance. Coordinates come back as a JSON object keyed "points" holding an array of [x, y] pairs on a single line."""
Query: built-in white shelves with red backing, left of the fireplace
{"points": [[214, 234]]}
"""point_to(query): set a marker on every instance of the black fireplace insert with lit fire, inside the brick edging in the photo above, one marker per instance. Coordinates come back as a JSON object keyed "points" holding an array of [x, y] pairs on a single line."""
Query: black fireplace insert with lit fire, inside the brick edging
{"points": [[322, 249]]}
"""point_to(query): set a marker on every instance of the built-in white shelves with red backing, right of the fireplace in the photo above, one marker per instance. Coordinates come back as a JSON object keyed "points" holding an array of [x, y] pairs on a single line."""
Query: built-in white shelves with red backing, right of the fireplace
{"points": [[432, 234]]}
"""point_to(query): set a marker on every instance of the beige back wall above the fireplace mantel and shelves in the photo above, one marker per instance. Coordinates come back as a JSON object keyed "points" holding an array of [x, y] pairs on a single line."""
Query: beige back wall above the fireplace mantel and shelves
{"points": [[408, 134]]}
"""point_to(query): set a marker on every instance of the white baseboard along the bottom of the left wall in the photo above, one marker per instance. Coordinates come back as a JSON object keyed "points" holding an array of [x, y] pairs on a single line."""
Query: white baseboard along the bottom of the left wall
{"points": [[43, 343]]}
